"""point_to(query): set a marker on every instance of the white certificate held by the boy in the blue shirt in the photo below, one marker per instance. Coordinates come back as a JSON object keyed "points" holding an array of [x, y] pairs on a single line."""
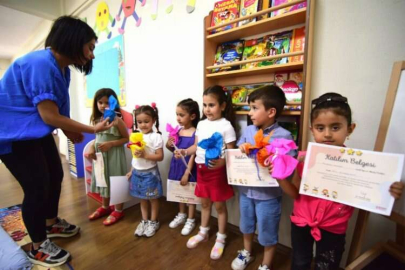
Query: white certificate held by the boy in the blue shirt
{"points": [[244, 171]]}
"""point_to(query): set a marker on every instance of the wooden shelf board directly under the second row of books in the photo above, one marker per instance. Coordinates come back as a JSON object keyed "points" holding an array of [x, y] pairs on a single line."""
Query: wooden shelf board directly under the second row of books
{"points": [[256, 71]]}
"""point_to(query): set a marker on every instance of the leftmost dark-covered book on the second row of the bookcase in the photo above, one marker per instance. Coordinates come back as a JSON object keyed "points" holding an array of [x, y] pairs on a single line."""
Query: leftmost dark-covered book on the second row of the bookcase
{"points": [[227, 53]]}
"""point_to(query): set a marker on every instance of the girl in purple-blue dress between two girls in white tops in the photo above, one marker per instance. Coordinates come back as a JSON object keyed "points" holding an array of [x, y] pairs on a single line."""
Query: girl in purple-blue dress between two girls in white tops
{"points": [[188, 116]]}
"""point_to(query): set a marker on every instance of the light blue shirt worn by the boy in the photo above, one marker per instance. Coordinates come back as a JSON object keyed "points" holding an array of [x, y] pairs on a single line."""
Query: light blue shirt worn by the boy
{"points": [[263, 193]]}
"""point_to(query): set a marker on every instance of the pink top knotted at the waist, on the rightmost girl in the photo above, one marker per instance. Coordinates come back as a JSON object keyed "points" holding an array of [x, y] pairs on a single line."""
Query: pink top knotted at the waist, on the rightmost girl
{"points": [[319, 213]]}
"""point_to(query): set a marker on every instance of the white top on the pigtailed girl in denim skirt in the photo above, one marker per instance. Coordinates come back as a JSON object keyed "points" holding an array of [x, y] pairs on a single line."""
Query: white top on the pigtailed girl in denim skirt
{"points": [[153, 141]]}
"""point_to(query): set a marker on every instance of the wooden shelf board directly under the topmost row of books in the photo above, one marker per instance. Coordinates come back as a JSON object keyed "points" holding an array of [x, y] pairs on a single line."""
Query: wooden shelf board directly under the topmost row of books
{"points": [[255, 28]]}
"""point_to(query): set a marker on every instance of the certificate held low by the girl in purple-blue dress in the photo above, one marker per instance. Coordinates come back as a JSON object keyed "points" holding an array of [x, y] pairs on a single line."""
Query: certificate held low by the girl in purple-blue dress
{"points": [[182, 194]]}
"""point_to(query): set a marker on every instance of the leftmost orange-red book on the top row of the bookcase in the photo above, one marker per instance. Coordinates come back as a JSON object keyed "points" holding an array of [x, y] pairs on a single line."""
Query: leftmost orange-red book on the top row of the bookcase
{"points": [[224, 12]]}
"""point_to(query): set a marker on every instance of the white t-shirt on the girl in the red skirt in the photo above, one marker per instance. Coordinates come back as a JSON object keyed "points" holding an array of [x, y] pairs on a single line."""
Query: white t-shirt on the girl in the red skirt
{"points": [[206, 128]]}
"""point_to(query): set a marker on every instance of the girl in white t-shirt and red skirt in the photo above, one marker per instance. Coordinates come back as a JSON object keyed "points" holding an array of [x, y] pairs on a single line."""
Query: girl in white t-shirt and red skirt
{"points": [[212, 184]]}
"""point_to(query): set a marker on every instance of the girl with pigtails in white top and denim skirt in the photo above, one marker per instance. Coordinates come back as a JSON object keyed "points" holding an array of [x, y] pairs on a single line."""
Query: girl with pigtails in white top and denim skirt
{"points": [[146, 183]]}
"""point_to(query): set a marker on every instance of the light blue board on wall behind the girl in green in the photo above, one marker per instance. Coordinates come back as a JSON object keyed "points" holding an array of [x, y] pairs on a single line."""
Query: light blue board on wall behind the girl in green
{"points": [[108, 70]]}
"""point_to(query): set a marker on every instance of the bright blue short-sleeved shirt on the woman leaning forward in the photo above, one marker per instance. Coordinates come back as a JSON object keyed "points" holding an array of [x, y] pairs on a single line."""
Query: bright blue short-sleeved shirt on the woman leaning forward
{"points": [[30, 80]]}
